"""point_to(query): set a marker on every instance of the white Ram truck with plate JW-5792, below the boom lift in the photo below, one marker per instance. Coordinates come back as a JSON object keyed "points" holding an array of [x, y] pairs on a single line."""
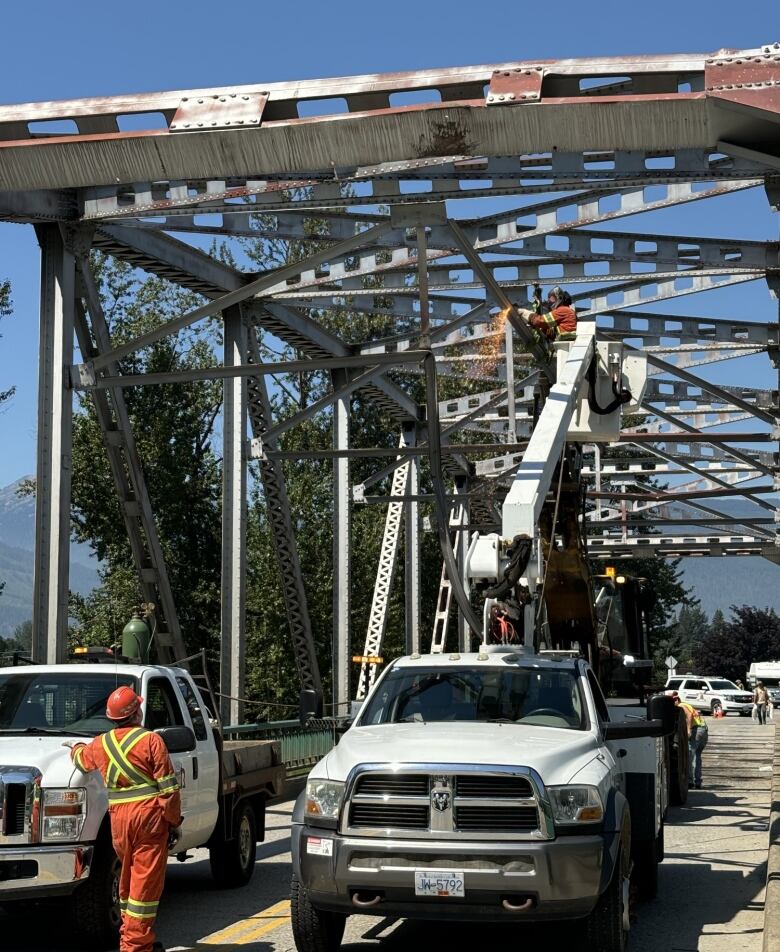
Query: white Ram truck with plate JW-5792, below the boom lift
{"points": [[491, 786]]}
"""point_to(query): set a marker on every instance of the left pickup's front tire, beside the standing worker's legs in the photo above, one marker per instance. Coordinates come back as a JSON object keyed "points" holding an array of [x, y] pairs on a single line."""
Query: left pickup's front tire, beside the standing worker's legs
{"points": [[94, 906]]}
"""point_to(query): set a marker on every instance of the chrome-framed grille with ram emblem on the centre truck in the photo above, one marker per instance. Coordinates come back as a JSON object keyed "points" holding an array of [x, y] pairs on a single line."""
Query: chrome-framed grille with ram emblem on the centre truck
{"points": [[419, 804]]}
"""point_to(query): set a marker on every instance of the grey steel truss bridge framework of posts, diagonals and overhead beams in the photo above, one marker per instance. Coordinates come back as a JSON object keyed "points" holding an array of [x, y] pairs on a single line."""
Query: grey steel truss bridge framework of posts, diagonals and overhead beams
{"points": [[440, 198]]}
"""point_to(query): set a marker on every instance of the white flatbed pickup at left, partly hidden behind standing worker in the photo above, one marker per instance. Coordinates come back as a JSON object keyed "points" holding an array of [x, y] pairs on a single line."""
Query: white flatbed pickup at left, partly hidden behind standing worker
{"points": [[54, 830]]}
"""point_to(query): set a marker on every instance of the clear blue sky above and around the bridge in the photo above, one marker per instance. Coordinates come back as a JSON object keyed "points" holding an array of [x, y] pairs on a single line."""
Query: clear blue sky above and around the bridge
{"points": [[59, 51]]}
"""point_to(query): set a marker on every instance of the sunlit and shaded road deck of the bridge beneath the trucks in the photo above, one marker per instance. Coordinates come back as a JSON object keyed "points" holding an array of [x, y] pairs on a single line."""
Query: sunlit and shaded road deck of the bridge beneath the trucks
{"points": [[710, 885]]}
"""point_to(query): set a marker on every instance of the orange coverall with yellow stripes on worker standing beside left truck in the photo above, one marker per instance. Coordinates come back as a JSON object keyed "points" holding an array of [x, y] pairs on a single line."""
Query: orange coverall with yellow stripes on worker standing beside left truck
{"points": [[144, 804]]}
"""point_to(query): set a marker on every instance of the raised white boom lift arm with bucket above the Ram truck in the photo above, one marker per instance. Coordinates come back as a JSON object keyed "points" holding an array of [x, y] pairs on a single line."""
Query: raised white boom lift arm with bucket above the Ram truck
{"points": [[525, 574]]}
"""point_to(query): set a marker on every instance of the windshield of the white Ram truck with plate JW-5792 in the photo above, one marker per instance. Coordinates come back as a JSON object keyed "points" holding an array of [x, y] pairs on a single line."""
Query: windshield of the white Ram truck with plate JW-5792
{"points": [[539, 696]]}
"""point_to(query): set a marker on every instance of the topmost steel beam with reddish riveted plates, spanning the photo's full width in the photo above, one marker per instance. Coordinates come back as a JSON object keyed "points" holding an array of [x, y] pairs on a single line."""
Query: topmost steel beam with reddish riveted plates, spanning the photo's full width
{"points": [[238, 130]]}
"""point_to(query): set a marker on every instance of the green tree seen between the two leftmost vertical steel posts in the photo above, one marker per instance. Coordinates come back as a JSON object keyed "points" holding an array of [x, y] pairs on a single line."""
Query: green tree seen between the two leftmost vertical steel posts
{"points": [[174, 429]]}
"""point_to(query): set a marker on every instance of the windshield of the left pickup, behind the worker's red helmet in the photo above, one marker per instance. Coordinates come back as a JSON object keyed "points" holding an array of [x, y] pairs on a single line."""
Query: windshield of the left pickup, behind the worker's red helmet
{"points": [[58, 703]]}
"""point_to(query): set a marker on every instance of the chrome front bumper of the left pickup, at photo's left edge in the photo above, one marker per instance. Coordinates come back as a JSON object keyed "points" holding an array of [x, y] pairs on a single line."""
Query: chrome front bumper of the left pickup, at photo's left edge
{"points": [[42, 871]]}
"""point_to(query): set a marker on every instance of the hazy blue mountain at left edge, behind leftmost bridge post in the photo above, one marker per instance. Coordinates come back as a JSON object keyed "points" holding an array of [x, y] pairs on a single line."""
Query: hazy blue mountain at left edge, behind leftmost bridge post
{"points": [[17, 547]]}
